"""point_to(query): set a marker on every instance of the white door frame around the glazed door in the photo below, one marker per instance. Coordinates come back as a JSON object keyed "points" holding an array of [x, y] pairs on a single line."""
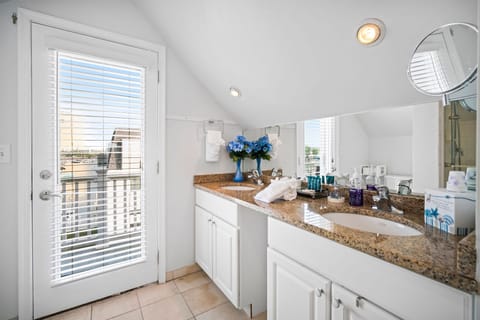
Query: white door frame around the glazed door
{"points": [[24, 142]]}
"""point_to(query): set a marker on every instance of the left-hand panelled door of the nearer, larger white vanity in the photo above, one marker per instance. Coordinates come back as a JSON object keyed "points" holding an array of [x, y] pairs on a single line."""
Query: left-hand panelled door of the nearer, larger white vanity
{"points": [[295, 292]]}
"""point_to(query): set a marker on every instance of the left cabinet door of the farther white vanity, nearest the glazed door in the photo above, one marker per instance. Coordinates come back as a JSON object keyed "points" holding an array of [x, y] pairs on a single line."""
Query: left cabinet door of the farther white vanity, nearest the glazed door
{"points": [[203, 240]]}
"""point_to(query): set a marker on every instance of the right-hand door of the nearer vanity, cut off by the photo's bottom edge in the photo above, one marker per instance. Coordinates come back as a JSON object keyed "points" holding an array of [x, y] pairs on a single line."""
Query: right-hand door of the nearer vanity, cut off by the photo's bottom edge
{"points": [[347, 305]]}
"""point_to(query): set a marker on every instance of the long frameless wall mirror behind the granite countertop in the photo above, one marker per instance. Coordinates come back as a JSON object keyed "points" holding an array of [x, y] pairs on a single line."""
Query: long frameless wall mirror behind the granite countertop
{"points": [[420, 142]]}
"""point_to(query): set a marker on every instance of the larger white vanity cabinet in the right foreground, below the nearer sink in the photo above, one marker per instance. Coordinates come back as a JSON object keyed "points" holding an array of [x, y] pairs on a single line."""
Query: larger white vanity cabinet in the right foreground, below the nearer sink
{"points": [[362, 286]]}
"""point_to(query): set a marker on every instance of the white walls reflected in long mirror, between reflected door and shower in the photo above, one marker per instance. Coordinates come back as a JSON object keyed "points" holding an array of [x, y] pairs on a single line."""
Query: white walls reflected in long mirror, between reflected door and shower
{"points": [[405, 140]]}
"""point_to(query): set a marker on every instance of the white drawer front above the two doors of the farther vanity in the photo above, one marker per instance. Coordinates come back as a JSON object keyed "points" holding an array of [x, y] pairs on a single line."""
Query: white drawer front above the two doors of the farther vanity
{"points": [[222, 208]]}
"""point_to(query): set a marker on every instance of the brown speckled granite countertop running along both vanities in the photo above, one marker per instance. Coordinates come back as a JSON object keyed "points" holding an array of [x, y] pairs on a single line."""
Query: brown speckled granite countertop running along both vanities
{"points": [[433, 254]]}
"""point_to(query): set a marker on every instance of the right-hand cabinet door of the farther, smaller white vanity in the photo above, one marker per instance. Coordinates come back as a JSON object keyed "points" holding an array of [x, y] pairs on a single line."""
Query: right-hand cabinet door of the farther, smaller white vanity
{"points": [[225, 259]]}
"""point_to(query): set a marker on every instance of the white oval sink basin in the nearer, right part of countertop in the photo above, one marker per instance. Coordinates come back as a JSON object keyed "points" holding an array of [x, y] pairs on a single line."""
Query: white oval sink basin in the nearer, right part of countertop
{"points": [[371, 224]]}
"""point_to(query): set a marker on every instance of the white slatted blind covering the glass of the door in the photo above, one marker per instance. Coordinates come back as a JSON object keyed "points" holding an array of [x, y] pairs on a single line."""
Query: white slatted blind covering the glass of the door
{"points": [[98, 220]]}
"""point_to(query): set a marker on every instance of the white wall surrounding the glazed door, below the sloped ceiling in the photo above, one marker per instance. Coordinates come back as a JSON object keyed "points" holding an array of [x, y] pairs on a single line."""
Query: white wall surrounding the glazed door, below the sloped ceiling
{"points": [[185, 97]]}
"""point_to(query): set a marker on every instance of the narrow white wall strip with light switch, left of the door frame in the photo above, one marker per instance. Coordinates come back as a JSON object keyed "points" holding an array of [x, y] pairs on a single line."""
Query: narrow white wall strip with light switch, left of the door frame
{"points": [[8, 180]]}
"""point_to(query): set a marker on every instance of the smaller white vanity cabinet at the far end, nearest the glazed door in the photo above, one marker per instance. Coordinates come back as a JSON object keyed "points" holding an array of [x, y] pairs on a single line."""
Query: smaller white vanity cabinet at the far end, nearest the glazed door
{"points": [[230, 246]]}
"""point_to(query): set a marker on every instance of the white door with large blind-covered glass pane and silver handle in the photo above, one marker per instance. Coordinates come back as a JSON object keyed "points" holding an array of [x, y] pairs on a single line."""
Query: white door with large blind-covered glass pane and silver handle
{"points": [[95, 129]]}
